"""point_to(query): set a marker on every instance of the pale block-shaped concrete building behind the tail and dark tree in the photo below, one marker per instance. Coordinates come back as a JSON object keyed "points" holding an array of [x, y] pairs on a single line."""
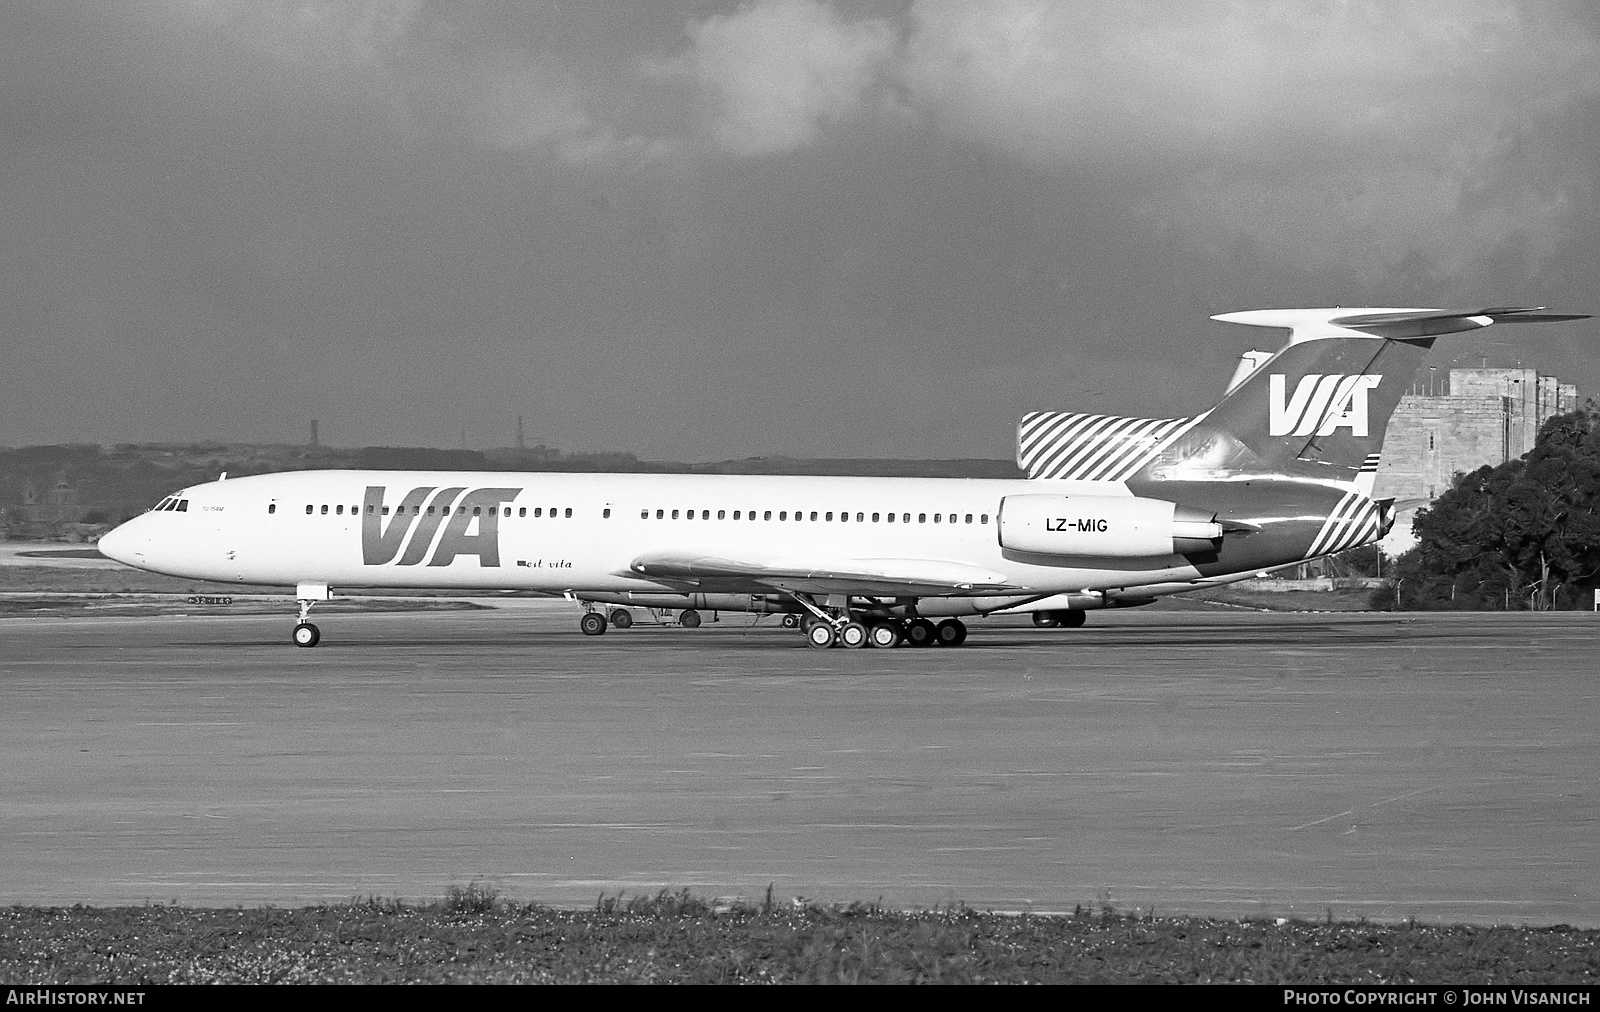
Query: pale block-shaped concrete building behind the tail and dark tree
{"points": [[1457, 424]]}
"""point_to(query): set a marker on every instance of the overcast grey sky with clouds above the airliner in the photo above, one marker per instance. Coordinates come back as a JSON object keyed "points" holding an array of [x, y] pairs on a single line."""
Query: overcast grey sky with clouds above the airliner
{"points": [[698, 230]]}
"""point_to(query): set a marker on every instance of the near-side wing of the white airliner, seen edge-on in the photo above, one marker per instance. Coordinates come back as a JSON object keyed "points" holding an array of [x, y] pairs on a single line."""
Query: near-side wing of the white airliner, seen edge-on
{"points": [[870, 577]]}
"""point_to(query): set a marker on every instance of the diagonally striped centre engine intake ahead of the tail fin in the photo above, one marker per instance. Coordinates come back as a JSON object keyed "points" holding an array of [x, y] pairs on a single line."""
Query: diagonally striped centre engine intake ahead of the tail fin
{"points": [[1092, 448]]}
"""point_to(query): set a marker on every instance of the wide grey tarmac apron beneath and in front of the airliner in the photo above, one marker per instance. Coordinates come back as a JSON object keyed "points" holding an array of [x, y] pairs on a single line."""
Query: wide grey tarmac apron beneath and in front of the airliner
{"points": [[1442, 768]]}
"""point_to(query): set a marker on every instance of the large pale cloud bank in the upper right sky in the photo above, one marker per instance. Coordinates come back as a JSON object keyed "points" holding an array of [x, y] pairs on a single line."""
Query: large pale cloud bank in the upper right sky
{"points": [[1330, 135]]}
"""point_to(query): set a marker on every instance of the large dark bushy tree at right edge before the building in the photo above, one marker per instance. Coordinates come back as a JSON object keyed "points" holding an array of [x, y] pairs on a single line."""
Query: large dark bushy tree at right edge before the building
{"points": [[1519, 536]]}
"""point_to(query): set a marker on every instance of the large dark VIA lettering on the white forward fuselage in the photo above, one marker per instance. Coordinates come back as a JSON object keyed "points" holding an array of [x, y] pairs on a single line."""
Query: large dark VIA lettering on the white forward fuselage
{"points": [[481, 507]]}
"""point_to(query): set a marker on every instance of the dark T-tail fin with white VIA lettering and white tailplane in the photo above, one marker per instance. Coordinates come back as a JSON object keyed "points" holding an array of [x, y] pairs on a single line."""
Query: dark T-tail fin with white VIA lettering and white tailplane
{"points": [[1319, 408]]}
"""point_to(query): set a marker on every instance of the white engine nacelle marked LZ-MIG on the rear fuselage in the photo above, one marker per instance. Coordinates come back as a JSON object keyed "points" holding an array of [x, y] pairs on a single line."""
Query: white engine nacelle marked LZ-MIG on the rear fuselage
{"points": [[1105, 528]]}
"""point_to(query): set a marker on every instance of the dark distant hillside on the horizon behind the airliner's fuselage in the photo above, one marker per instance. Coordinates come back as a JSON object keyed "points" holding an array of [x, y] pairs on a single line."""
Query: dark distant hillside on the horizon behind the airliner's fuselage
{"points": [[111, 484]]}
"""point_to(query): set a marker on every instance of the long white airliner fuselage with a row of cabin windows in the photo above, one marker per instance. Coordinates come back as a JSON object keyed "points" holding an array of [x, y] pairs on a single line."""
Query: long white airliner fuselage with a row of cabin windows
{"points": [[583, 532]]}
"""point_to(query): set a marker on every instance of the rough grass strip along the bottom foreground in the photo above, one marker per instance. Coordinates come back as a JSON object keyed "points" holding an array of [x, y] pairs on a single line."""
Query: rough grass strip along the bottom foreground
{"points": [[476, 938]]}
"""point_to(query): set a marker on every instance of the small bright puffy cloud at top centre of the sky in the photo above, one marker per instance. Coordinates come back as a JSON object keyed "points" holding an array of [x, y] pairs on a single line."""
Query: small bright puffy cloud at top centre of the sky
{"points": [[778, 73]]}
